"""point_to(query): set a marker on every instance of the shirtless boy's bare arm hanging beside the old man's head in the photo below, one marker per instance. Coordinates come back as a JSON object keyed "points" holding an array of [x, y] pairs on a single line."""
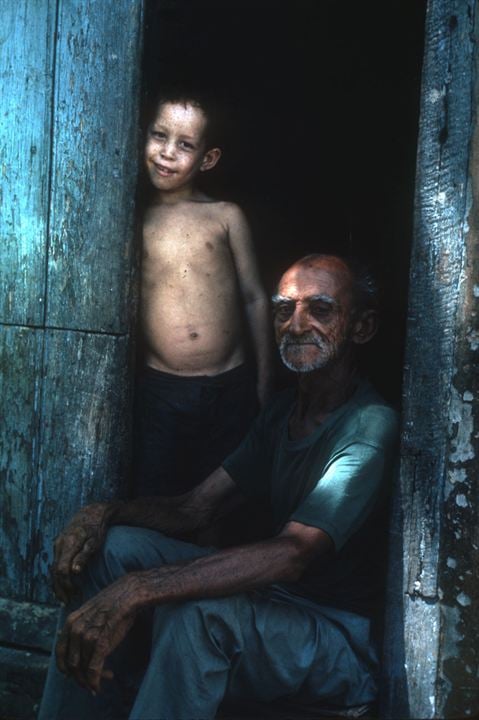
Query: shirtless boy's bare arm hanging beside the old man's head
{"points": [[254, 297]]}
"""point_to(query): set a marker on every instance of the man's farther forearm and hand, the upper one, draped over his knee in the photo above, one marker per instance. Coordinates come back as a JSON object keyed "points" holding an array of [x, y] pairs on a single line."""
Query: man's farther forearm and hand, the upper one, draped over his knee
{"points": [[177, 516]]}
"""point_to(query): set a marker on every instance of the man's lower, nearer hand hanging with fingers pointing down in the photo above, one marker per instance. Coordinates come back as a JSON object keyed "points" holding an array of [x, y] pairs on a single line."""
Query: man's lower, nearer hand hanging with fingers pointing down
{"points": [[91, 633]]}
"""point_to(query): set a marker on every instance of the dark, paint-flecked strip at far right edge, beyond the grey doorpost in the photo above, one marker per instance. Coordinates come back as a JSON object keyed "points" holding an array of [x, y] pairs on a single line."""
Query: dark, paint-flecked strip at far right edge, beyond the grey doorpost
{"points": [[458, 684]]}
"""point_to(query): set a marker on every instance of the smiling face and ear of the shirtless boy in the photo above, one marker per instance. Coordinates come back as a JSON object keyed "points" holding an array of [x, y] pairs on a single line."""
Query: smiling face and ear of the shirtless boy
{"points": [[175, 149]]}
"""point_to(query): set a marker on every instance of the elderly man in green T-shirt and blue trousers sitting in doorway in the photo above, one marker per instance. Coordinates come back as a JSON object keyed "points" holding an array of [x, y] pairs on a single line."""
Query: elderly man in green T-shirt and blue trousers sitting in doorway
{"points": [[289, 616]]}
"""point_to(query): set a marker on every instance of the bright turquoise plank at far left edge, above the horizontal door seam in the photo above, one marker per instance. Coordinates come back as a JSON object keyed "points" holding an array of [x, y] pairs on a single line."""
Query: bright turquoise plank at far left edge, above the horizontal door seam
{"points": [[26, 93]]}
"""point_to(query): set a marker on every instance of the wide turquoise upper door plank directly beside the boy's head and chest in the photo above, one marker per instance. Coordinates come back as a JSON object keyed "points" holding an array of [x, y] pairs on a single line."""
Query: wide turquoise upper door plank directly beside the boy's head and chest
{"points": [[94, 167]]}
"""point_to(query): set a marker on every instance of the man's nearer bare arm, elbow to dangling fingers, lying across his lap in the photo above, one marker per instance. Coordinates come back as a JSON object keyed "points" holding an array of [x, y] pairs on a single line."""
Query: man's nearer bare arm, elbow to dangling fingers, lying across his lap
{"points": [[95, 630]]}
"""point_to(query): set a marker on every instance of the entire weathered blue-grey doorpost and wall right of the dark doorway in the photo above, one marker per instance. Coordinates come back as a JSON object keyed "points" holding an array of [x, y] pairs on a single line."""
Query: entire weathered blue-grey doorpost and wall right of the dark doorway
{"points": [[431, 664]]}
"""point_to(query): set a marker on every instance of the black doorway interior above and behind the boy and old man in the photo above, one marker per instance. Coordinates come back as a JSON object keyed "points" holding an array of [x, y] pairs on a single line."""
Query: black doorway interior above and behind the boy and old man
{"points": [[323, 100]]}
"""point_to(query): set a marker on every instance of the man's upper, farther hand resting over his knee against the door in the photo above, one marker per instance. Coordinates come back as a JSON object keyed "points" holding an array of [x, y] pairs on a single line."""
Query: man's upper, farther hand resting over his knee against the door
{"points": [[76, 544]]}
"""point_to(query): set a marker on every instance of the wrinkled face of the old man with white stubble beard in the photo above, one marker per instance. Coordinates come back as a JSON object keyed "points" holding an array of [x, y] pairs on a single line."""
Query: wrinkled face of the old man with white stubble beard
{"points": [[313, 314]]}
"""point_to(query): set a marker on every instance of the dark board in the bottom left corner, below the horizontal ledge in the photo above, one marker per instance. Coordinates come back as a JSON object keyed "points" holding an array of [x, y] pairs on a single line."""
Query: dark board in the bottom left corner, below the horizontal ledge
{"points": [[22, 676]]}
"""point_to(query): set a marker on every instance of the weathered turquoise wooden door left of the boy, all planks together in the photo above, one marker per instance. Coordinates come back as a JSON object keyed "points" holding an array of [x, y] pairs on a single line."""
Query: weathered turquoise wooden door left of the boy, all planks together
{"points": [[69, 81]]}
